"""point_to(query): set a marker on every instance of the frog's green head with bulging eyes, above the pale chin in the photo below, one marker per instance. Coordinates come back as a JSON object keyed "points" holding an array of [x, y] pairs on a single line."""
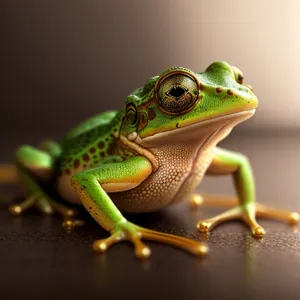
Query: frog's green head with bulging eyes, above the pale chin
{"points": [[180, 98]]}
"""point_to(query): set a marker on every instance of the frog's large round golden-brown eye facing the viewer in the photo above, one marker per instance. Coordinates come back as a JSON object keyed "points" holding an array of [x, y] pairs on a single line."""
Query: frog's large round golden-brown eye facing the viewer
{"points": [[177, 93]]}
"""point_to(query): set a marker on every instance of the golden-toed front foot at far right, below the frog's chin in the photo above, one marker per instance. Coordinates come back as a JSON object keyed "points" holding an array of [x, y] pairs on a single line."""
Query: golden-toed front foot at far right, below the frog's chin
{"points": [[248, 214]]}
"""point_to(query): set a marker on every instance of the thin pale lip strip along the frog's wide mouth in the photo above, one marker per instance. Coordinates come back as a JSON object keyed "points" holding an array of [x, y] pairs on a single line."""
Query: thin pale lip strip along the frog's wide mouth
{"points": [[231, 119]]}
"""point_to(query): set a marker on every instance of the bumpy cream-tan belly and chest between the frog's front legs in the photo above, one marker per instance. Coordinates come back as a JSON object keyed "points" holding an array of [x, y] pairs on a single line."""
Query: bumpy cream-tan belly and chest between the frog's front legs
{"points": [[167, 185]]}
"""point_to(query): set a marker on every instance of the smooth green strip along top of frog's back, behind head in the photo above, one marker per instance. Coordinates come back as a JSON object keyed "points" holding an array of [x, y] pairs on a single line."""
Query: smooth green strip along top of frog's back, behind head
{"points": [[95, 121]]}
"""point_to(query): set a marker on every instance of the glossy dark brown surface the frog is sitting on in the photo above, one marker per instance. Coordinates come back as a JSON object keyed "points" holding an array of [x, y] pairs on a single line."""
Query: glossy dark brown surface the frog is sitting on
{"points": [[37, 257]]}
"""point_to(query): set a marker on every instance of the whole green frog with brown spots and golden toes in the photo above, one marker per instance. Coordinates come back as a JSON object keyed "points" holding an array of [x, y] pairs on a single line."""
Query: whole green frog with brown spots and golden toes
{"points": [[151, 154]]}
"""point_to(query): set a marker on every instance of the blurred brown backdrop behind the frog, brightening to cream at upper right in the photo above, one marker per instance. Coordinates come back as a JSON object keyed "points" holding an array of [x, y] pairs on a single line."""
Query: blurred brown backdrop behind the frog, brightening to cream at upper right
{"points": [[63, 61]]}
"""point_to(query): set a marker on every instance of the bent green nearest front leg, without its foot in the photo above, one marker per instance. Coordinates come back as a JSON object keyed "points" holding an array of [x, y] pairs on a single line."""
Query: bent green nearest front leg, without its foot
{"points": [[92, 186]]}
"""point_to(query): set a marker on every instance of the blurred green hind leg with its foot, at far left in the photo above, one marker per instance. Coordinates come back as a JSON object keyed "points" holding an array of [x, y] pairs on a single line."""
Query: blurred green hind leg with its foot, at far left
{"points": [[35, 168]]}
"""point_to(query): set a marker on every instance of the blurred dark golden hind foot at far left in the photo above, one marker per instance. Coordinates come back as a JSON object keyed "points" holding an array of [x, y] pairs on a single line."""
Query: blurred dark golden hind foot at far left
{"points": [[47, 206]]}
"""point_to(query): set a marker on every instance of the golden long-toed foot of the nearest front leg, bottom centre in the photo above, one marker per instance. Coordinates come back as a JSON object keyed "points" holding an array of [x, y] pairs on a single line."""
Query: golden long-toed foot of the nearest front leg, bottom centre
{"points": [[134, 234]]}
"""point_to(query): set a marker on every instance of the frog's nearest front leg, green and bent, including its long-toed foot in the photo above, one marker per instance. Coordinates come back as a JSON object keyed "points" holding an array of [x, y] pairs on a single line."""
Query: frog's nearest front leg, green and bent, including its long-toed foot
{"points": [[92, 186]]}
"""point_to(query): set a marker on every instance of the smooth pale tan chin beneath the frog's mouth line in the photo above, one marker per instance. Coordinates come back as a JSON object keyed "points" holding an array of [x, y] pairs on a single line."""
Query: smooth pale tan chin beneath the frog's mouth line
{"points": [[196, 133]]}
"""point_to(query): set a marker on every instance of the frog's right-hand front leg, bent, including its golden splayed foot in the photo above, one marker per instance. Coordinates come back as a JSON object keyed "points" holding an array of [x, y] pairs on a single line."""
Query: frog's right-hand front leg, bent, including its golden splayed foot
{"points": [[228, 162]]}
